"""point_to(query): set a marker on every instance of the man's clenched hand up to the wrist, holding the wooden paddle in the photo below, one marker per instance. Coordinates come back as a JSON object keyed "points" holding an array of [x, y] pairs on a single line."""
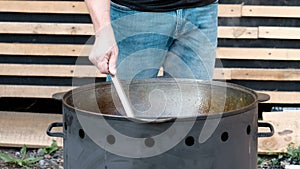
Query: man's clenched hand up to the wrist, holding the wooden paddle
{"points": [[104, 53]]}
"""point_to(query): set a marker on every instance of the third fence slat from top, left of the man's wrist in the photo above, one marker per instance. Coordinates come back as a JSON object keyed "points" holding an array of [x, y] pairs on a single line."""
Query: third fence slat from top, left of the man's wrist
{"points": [[44, 49]]}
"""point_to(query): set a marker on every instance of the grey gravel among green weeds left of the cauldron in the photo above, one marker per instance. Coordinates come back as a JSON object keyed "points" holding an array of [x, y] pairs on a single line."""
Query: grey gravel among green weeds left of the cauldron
{"points": [[52, 161]]}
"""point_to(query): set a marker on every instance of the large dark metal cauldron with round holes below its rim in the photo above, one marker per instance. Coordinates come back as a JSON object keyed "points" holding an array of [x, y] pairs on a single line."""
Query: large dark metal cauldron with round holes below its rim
{"points": [[178, 123]]}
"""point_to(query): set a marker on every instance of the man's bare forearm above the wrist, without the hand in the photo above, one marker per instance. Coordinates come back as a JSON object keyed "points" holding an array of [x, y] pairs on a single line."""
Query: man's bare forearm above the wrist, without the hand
{"points": [[100, 13]]}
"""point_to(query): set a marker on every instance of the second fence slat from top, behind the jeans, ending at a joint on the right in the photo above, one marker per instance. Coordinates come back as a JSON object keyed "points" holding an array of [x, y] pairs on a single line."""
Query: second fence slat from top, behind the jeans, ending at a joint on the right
{"points": [[87, 29]]}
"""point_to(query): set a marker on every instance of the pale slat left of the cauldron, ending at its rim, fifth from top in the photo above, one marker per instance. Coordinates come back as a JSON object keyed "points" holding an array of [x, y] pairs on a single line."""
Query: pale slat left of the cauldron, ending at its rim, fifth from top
{"points": [[31, 91]]}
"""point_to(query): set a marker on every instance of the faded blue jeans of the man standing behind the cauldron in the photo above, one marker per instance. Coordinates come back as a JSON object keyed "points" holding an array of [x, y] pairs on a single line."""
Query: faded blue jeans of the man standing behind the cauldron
{"points": [[183, 42]]}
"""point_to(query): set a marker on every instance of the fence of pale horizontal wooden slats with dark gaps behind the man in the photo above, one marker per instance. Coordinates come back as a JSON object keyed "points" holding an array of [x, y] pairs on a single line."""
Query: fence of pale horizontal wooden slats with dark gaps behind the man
{"points": [[41, 41]]}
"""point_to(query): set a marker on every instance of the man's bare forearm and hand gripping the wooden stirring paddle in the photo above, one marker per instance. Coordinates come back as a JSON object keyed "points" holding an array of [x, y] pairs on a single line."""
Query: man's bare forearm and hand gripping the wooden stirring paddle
{"points": [[104, 54]]}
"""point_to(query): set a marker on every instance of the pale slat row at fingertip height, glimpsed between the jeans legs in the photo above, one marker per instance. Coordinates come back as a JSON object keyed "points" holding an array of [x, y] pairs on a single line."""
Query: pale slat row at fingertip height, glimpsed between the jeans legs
{"points": [[92, 71]]}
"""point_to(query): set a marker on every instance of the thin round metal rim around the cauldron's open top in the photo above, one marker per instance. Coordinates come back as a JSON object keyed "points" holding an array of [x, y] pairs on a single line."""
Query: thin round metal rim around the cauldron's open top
{"points": [[93, 86]]}
